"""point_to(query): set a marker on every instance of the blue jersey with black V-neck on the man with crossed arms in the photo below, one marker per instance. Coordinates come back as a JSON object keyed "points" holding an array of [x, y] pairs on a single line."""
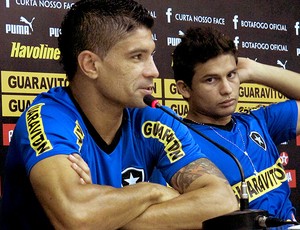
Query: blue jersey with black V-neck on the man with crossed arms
{"points": [[54, 124]]}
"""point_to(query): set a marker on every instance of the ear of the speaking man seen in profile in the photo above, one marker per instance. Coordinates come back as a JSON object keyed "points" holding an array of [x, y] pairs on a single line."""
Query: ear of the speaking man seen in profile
{"points": [[87, 63]]}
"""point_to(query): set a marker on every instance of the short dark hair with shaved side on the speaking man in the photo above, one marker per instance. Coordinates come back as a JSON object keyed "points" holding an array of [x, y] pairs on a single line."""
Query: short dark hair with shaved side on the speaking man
{"points": [[97, 25]]}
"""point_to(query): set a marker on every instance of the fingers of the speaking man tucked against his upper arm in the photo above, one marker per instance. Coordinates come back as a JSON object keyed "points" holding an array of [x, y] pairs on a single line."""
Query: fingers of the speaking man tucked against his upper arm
{"points": [[81, 168]]}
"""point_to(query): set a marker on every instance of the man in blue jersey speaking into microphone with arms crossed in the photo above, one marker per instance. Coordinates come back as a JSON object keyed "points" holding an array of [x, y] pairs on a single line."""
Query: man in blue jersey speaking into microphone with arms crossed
{"points": [[106, 48]]}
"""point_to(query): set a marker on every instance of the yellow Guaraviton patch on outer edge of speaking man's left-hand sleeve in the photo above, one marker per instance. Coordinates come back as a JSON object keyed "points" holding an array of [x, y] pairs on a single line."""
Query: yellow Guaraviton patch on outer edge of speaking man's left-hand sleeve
{"points": [[37, 137]]}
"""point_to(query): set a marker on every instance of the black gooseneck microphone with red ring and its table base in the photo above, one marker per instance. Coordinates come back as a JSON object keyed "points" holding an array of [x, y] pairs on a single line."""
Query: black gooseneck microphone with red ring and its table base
{"points": [[243, 219]]}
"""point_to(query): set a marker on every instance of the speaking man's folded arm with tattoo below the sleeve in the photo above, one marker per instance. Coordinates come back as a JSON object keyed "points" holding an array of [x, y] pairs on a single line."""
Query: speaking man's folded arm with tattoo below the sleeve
{"points": [[205, 193]]}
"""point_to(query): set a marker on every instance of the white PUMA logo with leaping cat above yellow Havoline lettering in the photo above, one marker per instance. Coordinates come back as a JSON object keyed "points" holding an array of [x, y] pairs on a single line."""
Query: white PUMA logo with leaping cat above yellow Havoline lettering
{"points": [[23, 29]]}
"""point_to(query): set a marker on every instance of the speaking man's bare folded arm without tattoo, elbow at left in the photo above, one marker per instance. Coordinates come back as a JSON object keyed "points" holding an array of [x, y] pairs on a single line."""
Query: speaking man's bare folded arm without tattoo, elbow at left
{"points": [[71, 204]]}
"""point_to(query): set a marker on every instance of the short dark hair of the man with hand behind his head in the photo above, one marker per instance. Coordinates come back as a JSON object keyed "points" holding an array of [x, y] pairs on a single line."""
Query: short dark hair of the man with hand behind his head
{"points": [[198, 45]]}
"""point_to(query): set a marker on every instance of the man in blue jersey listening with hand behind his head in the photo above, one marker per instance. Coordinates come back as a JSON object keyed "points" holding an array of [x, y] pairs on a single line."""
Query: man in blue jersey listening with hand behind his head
{"points": [[208, 75]]}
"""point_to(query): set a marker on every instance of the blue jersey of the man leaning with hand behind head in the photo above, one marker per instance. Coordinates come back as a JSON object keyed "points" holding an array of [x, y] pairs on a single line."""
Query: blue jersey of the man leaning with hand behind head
{"points": [[253, 139]]}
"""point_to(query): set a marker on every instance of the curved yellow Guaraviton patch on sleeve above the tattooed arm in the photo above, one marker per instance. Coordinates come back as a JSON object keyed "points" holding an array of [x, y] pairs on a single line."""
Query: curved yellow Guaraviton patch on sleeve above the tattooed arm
{"points": [[166, 136]]}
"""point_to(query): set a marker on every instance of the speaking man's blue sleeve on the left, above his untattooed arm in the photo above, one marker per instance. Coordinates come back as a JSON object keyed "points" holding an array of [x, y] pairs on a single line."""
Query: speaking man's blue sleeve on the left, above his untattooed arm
{"points": [[42, 135]]}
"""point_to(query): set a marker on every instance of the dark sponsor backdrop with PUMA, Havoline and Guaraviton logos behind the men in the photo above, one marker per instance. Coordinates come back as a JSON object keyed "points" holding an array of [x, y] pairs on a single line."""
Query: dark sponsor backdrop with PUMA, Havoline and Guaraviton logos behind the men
{"points": [[265, 30]]}
